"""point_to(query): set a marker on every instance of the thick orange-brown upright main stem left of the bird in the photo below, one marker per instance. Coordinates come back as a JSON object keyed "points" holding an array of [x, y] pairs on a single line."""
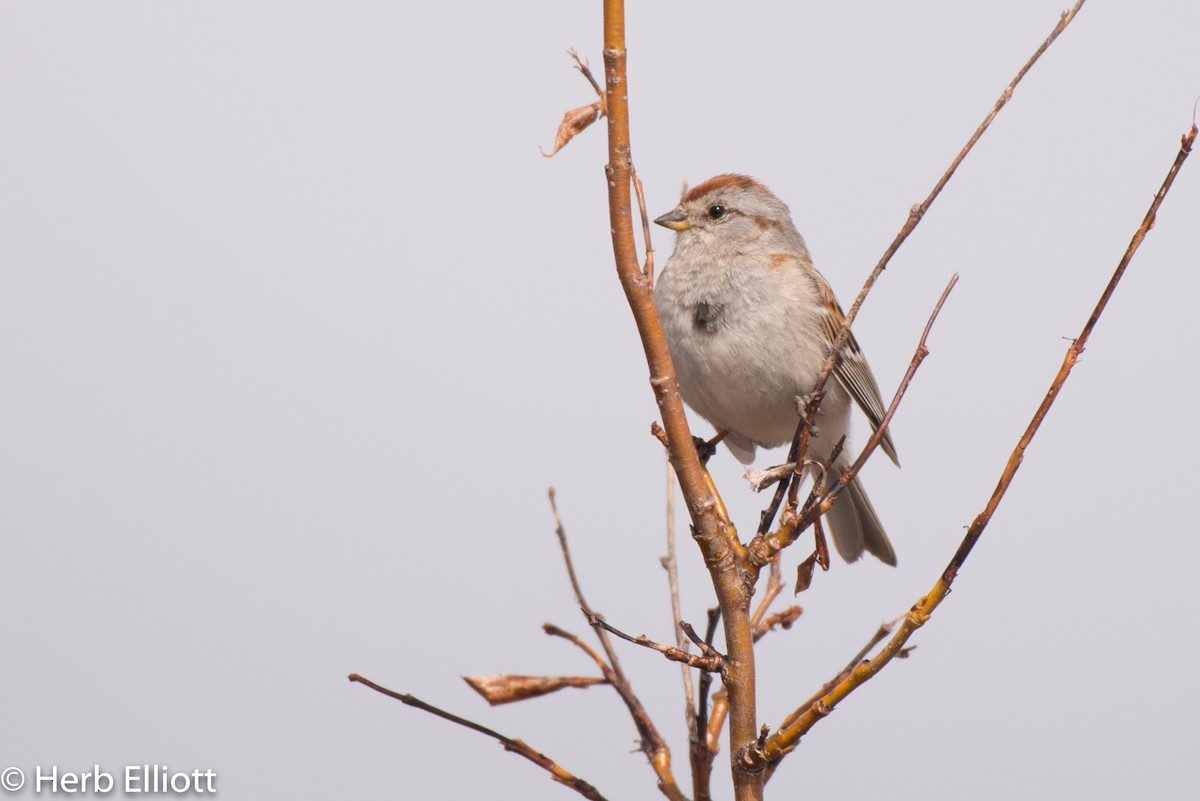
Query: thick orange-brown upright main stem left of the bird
{"points": [[715, 534]]}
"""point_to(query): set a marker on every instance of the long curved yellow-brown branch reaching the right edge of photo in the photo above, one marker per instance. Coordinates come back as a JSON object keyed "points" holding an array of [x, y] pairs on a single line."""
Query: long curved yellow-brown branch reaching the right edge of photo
{"points": [[805, 719]]}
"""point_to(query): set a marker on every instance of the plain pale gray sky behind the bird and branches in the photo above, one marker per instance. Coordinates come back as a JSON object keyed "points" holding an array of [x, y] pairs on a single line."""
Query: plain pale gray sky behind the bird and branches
{"points": [[297, 327]]}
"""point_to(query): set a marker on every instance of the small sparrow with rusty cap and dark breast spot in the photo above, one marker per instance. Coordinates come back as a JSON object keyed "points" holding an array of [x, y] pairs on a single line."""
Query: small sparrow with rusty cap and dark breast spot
{"points": [[749, 323]]}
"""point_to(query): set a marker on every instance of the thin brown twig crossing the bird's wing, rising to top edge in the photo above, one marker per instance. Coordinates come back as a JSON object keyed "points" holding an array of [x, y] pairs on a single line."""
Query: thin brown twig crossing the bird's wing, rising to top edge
{"points": [[800, 443]]}
